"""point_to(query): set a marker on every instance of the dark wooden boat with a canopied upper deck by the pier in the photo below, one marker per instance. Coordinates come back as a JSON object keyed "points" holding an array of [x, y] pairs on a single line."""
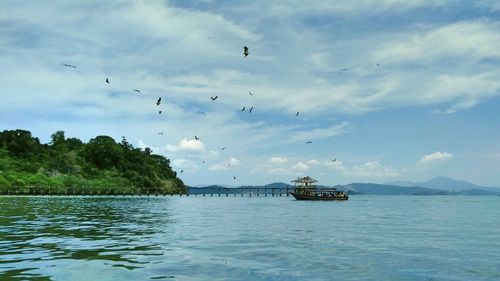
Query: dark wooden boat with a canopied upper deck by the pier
{"points": [[305, 189]]}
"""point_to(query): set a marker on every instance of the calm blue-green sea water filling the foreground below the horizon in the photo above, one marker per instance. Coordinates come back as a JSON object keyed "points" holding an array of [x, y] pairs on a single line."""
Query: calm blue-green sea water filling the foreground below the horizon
{"points": [[257, 238]]}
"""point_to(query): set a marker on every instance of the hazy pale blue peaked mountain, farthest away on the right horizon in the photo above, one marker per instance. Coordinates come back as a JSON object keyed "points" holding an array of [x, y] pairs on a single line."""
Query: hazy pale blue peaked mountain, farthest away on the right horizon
{"points": [[445, 183]]}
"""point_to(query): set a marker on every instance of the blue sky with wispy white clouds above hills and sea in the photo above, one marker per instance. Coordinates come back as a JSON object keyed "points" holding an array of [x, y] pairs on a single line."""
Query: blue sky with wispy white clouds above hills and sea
{"points": [[386, 90]]}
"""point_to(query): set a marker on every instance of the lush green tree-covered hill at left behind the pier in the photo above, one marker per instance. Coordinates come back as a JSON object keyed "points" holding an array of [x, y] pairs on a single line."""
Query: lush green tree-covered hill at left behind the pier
{"points": [[69, 165]]}
